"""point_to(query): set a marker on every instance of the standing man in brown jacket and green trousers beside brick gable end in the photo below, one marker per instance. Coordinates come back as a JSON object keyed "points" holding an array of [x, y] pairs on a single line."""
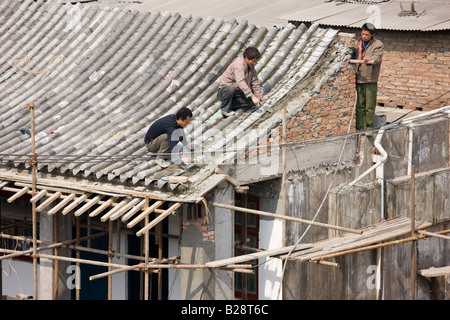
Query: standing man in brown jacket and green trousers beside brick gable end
{"points": [[370, 50]]}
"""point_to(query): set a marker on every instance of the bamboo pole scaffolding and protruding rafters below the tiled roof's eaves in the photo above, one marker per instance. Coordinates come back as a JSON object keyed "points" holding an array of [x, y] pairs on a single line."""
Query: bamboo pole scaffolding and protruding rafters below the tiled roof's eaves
{"points": [[124, 204]]}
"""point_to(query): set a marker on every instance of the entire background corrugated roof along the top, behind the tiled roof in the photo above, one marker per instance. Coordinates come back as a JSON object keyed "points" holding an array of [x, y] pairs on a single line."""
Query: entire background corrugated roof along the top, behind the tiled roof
{"points": [[428, 15]]}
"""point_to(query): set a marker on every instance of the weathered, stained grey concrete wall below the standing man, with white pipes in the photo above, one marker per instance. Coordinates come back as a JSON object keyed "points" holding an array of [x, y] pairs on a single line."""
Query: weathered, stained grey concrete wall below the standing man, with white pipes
{"points": [[361, 206]]}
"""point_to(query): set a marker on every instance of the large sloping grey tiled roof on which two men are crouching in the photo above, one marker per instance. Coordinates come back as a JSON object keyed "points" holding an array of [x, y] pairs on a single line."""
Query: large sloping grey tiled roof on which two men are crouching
{"points": [[99, 77]]}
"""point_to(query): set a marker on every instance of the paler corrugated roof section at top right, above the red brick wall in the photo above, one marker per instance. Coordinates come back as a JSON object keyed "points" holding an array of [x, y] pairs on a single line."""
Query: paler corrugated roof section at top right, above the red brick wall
{"points": [[393, 15]]}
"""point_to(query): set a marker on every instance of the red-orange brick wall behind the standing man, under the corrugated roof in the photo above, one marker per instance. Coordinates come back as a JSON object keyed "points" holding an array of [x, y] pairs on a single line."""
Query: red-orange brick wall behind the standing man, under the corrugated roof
{"points": [[415, 72]]}
